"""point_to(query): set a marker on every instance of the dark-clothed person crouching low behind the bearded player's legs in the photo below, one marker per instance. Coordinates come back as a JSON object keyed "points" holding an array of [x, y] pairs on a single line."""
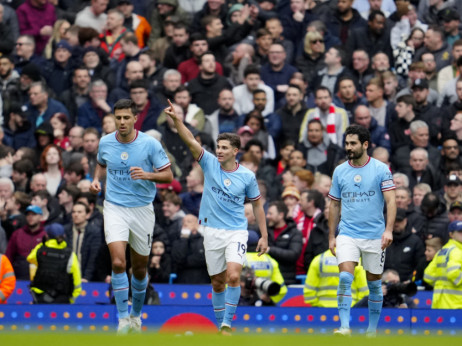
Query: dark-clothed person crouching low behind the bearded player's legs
{"points": [[395, 293]]}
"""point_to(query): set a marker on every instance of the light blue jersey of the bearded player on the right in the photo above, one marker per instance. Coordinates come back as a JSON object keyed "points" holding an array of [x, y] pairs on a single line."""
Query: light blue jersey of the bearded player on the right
{"points": [[360, 190]]}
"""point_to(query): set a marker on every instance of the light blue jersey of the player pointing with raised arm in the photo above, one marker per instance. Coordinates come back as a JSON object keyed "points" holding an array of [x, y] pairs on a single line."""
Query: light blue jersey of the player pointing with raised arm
{"points": [[222, 204]]}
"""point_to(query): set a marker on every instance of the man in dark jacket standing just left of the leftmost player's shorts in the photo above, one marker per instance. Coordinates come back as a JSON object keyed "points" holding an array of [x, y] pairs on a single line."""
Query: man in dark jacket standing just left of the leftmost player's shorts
{"points": [[85, 239]]}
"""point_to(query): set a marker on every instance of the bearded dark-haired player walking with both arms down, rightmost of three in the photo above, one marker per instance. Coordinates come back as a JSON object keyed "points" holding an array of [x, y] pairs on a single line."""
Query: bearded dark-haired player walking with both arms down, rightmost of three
{"points": [[360, 186]]}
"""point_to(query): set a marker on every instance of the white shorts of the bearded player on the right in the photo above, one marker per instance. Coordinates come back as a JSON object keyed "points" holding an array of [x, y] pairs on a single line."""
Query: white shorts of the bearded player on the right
{"points": [[370, 250]]}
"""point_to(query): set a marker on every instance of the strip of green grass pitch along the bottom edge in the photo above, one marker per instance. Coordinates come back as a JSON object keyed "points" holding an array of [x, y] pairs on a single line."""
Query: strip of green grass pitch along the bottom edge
{"points": [[57, 339]]}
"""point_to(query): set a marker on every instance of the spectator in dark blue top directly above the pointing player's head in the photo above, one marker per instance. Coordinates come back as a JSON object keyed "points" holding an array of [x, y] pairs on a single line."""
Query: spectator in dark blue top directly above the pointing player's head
{"points": [[225, 118]]}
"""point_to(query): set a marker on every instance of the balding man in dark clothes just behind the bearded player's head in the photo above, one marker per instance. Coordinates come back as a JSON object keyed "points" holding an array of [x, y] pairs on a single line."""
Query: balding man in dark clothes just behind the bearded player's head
{"points": [[379, 135]]}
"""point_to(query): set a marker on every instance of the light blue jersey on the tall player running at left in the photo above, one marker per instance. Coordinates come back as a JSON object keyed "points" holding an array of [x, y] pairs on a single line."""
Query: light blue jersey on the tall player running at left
{"points": [[145, 152]]}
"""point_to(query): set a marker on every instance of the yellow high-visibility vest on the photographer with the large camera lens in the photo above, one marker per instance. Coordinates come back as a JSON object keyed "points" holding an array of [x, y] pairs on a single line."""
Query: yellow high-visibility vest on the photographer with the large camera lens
{"points": [[266, 267]]}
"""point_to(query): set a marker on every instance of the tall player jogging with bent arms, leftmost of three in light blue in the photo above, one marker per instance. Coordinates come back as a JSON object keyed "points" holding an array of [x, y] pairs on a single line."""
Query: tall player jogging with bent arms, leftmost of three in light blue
{"points": [[133, 162]]}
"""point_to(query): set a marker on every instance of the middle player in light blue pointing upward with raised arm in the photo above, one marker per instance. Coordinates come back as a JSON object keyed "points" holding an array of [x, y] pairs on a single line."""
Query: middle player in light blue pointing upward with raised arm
{"points": [[221, 217]]}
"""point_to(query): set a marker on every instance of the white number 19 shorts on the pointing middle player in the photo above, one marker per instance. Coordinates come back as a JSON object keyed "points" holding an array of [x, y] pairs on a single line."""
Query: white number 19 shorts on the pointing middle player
{"points": [[222, 246]]}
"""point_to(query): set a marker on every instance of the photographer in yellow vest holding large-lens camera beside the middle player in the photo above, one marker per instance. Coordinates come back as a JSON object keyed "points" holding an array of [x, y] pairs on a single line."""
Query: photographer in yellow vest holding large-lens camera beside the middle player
{"points": [[262, 283]]}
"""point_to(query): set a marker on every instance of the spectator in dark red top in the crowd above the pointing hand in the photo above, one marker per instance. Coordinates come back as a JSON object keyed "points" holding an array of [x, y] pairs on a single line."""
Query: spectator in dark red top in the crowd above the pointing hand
{"points": [[190, 68]]}
